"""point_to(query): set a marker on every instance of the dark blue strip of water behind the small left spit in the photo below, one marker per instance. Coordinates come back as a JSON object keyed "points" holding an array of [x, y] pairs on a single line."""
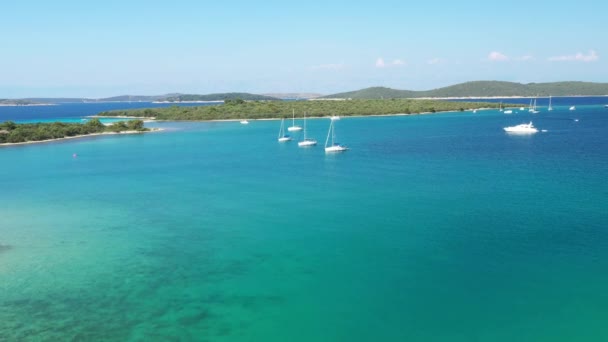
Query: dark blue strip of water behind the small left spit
{"points": [[74, 110]]}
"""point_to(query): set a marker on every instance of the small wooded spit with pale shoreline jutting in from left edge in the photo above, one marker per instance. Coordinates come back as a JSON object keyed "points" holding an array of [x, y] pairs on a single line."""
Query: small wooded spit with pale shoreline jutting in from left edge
{"points": [[12, 133]]}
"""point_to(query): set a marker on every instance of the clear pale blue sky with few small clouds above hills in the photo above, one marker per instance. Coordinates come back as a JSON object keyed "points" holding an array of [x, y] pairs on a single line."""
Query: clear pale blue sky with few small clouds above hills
{"points": [[98, 49]]}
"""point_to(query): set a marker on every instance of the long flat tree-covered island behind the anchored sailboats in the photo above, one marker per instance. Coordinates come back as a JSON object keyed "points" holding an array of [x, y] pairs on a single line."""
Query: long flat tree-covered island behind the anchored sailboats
{"points": [[240, 109]]}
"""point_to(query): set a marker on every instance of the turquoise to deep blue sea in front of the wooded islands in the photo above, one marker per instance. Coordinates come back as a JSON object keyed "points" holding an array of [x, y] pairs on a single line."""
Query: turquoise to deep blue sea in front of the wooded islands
{"points": [[431, 228]]}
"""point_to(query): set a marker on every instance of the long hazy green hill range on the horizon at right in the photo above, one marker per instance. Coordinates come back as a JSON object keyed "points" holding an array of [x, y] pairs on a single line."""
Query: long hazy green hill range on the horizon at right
{"points": [[484, 89]]}
